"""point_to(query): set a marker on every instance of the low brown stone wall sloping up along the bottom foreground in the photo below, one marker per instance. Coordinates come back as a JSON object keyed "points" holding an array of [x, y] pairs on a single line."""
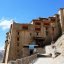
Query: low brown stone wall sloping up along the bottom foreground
{"points": [[25, 60]]}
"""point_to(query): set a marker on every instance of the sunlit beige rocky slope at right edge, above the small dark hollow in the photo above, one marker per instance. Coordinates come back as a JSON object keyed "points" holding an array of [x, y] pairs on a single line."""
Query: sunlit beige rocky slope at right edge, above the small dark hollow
{"points": [[60, 44]]}
